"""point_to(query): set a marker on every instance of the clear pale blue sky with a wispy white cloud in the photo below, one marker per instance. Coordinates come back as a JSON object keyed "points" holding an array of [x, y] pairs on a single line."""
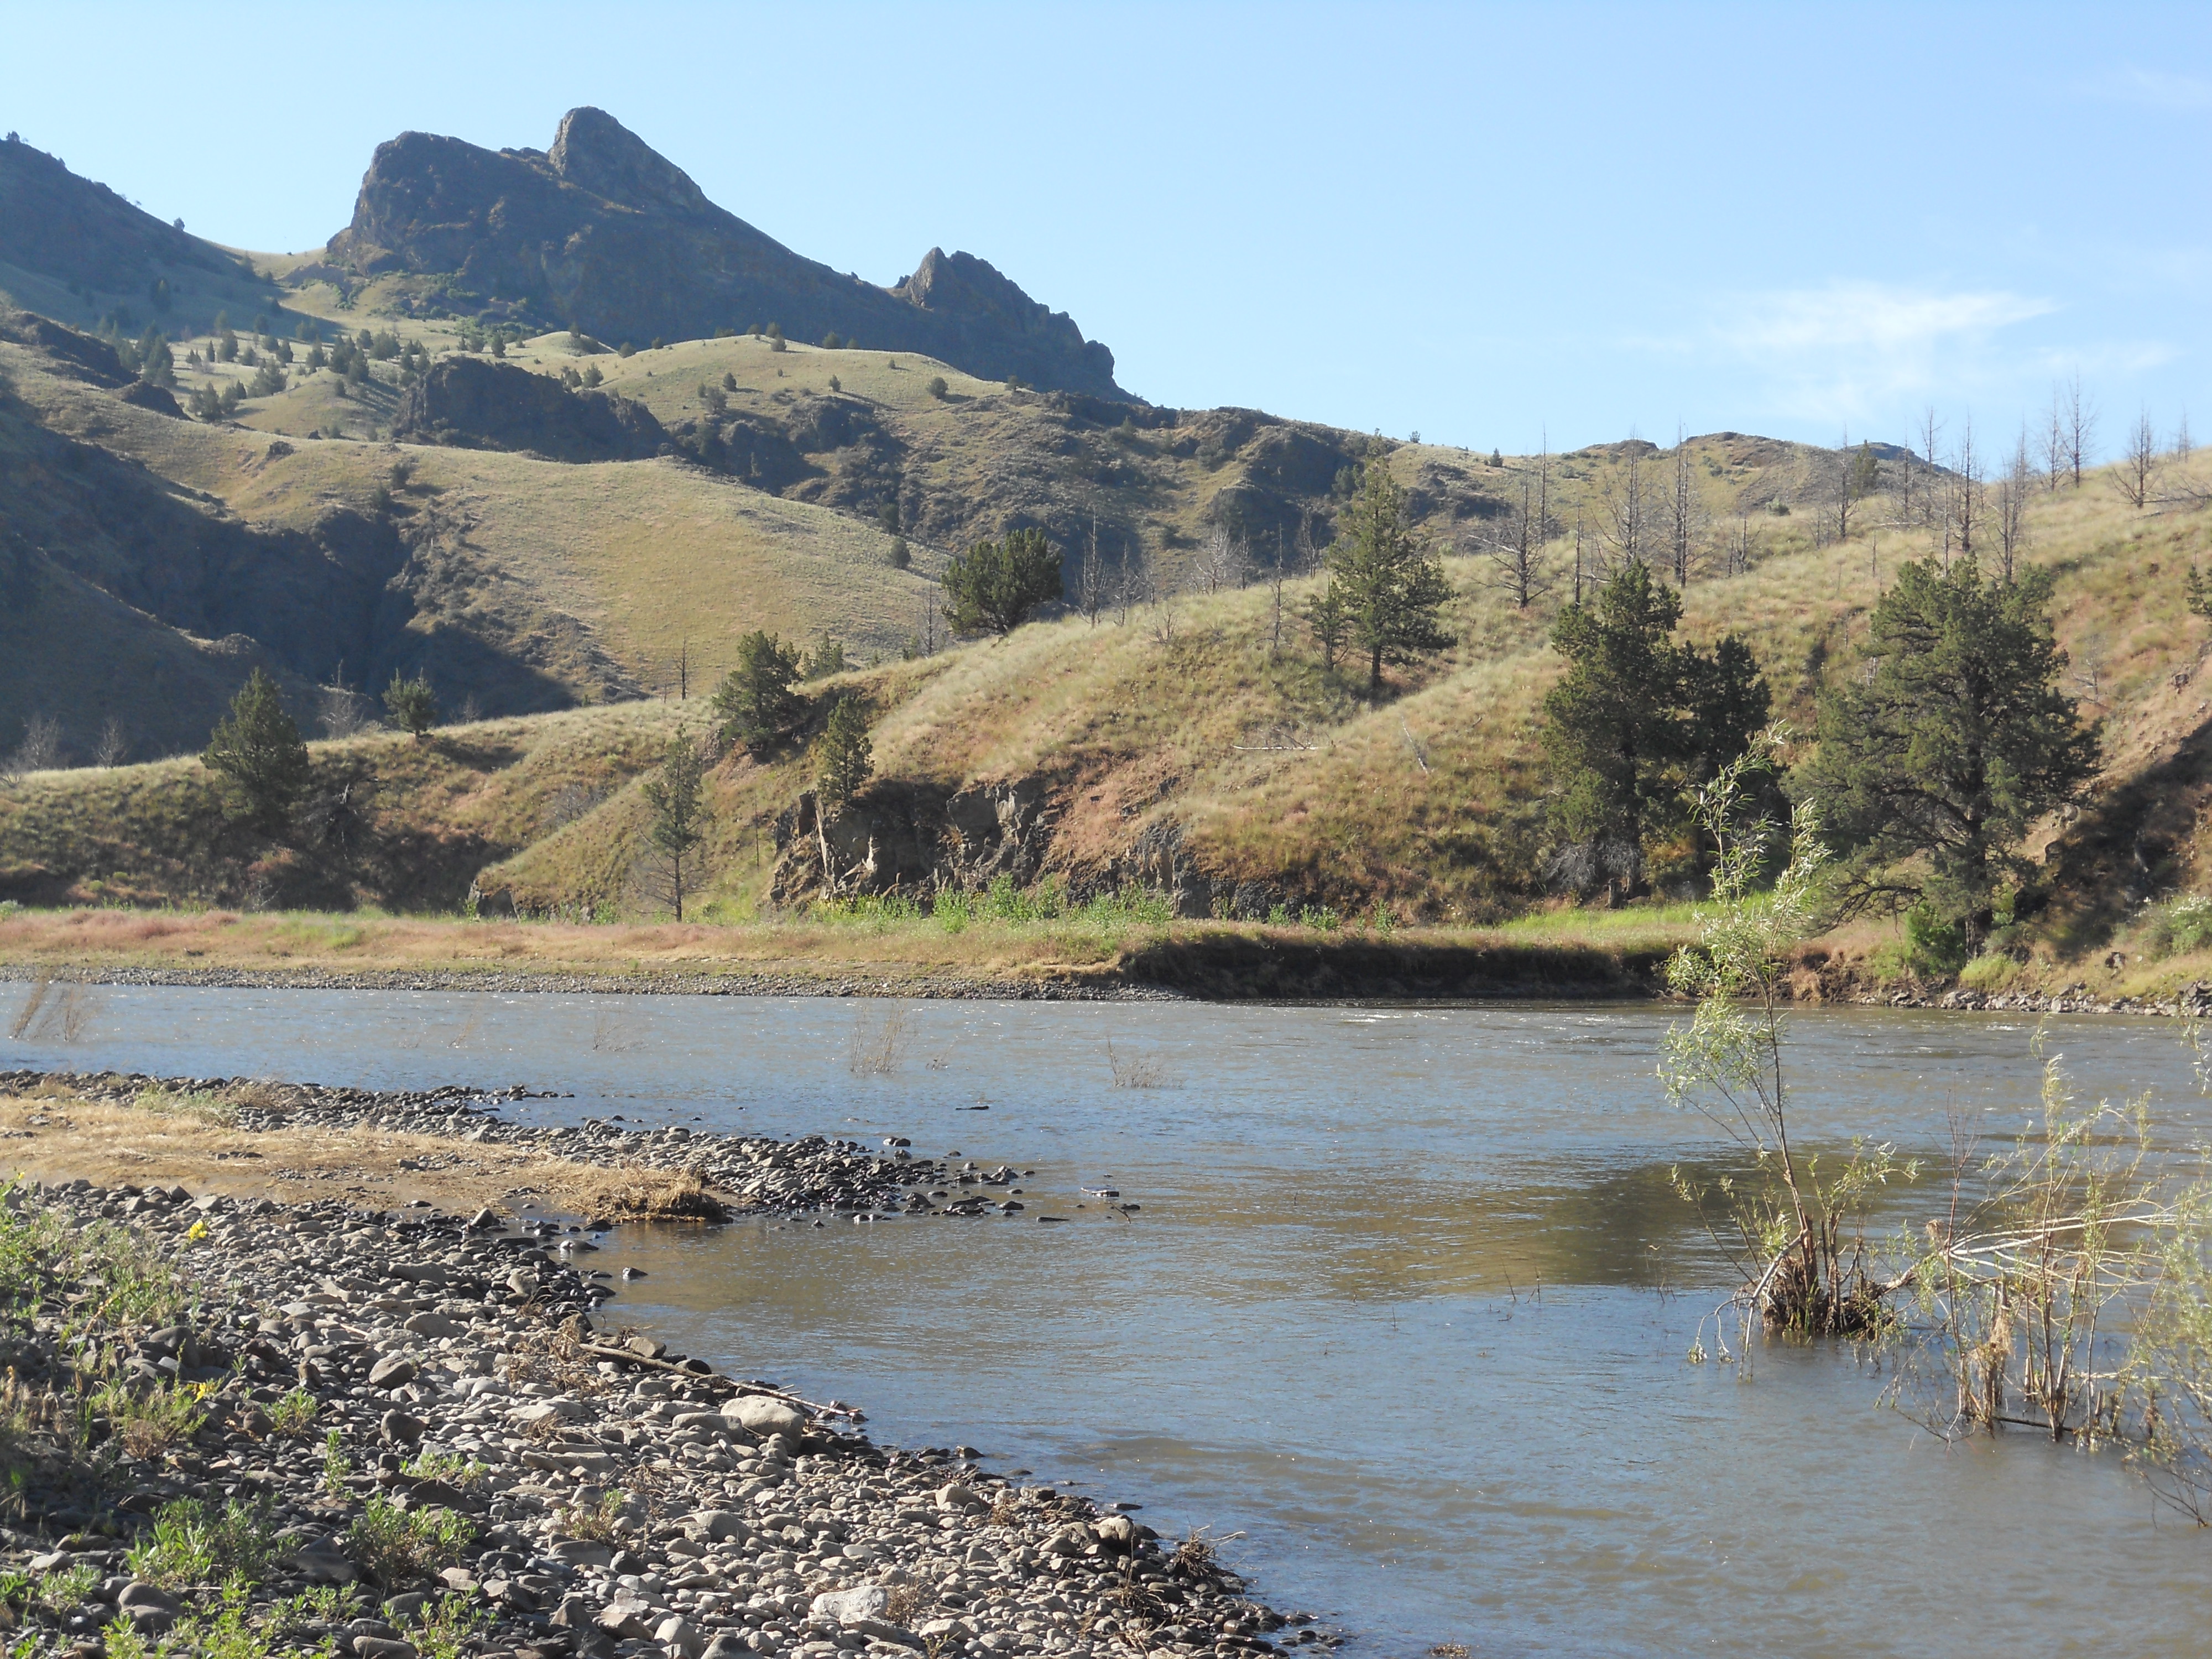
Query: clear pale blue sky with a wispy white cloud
{"points": [[1477, 222]]}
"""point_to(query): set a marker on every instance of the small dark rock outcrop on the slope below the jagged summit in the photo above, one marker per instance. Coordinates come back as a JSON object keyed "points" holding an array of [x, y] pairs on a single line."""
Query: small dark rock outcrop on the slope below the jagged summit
{"points": [[474, 404]]}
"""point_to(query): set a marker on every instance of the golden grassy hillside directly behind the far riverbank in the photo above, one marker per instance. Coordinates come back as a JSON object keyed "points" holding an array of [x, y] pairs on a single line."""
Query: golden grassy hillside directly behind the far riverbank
{"points": [[1193, 729]]}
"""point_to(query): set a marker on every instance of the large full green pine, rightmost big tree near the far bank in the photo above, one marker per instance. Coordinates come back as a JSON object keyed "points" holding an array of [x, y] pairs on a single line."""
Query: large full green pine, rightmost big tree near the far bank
{"points": [[1954, 744]]}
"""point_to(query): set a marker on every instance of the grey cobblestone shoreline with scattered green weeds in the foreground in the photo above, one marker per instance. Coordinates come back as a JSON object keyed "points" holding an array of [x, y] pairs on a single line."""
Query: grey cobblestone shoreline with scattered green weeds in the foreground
{"points": [[419, 1437]]}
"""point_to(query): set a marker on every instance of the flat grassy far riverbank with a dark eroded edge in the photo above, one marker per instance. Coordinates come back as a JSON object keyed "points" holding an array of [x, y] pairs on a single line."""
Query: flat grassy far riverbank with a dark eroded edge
{"points": [[828, 954]]}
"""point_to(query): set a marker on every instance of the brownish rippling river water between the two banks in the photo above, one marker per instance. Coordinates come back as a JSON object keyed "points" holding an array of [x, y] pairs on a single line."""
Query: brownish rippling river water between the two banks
{"points": [[1406, 1297]]}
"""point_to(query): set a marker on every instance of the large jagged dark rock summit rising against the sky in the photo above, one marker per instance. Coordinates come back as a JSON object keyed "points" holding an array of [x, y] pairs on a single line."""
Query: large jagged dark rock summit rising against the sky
{"points": [[607, 236]]}
